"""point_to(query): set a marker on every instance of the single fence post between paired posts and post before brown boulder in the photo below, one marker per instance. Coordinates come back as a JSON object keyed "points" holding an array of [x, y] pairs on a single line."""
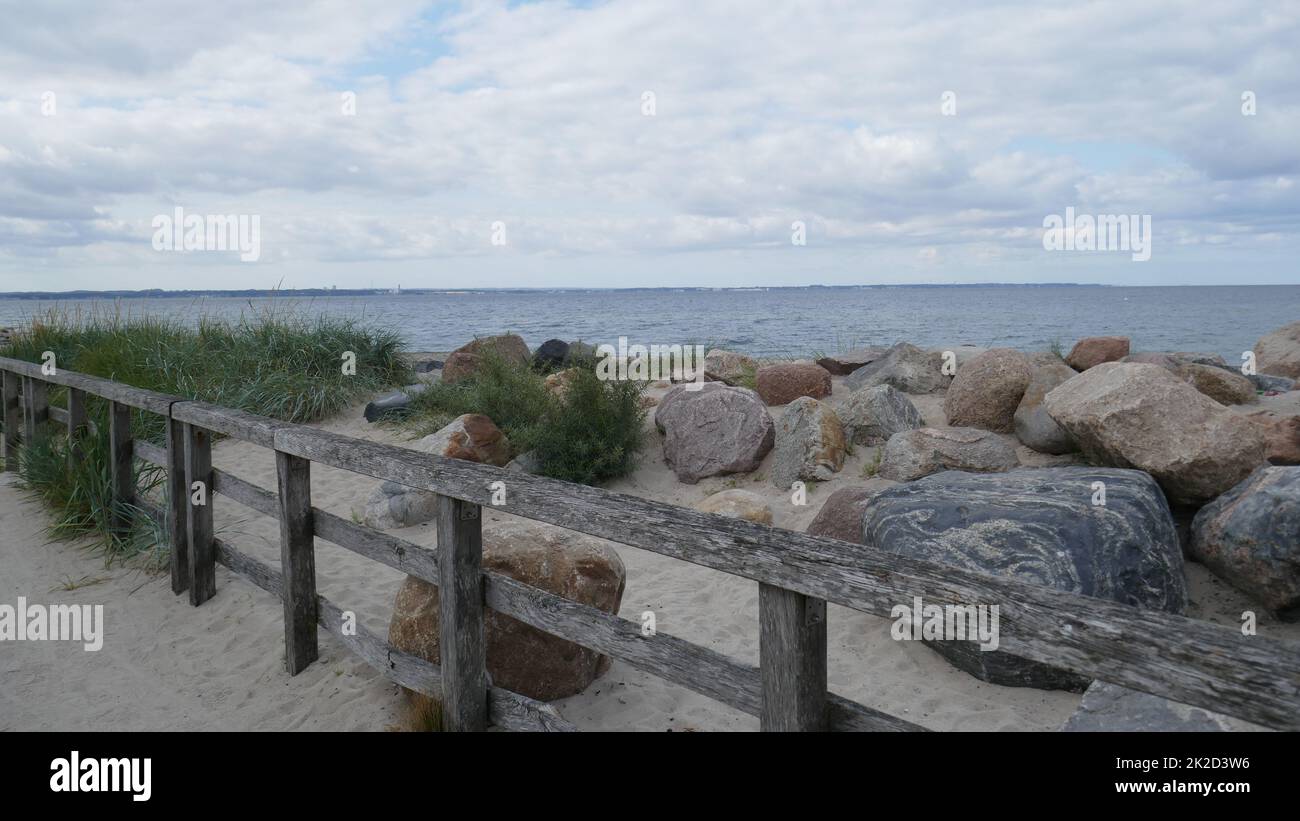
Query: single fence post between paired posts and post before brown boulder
{"points": [[297, 561]]}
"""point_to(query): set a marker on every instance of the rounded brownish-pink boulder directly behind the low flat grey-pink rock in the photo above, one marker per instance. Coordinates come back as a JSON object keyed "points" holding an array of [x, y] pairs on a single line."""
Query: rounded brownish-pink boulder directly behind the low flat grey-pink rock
{"points": [[987, 390]]}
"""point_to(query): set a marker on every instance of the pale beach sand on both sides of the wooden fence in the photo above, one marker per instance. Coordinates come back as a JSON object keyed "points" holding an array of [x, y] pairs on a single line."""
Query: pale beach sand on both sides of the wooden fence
{"points": [[167, 666]]}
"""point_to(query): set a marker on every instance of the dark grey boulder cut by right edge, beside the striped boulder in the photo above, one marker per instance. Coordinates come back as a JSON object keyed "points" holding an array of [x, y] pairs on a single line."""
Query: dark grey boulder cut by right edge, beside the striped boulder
{"points": [[1251, 537]]}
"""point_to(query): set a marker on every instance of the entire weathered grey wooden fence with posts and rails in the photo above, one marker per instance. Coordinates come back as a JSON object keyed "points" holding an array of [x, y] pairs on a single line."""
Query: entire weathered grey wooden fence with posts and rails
{"points": [[1176, 658]]}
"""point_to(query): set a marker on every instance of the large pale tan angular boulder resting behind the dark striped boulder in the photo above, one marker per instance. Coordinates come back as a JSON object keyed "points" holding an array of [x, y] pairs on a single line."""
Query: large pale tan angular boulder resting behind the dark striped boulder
{"points": [[1142, 416]]}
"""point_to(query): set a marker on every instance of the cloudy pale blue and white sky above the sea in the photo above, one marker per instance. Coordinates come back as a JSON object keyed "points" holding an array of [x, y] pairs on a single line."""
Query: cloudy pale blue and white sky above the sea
{"points": [[635, 144]]}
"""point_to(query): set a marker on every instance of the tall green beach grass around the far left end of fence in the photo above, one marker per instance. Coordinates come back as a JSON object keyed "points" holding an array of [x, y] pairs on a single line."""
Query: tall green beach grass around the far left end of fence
{"points": [[274, 364]]}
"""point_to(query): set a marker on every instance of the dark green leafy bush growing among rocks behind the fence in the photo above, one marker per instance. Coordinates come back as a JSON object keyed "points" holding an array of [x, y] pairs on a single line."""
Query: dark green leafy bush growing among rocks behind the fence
{"points": [[591, 433]]}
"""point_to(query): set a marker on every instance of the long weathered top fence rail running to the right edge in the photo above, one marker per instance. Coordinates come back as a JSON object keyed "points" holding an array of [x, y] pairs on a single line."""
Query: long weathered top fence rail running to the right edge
{"points": [[1171, 657]]}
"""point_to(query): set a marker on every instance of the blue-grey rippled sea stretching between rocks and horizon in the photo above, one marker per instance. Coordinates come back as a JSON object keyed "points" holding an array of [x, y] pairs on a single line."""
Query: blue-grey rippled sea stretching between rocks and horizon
{"points": [[1225, 320]]}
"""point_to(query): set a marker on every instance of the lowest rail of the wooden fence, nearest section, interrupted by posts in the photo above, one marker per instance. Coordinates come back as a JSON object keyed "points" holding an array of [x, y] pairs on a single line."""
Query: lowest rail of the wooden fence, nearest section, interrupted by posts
{"points": [[508, 710]]}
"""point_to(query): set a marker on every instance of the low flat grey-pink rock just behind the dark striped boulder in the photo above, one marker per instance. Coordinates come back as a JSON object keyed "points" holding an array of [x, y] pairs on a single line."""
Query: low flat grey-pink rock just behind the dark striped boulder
{"points": [[915, 454]]}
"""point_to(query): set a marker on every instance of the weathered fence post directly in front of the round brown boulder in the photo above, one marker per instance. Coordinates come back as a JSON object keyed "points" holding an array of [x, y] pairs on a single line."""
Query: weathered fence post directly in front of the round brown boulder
{"points": [[461, 618]]}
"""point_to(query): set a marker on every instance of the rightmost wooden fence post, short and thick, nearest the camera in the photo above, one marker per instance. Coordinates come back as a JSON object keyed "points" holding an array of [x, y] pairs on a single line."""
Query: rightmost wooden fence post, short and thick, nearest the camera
{"points": [[792, 661]]}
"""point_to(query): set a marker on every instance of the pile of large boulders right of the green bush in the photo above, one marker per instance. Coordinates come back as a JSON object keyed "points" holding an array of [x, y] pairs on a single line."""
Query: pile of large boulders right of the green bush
{"points": [[1165, 436]]}
